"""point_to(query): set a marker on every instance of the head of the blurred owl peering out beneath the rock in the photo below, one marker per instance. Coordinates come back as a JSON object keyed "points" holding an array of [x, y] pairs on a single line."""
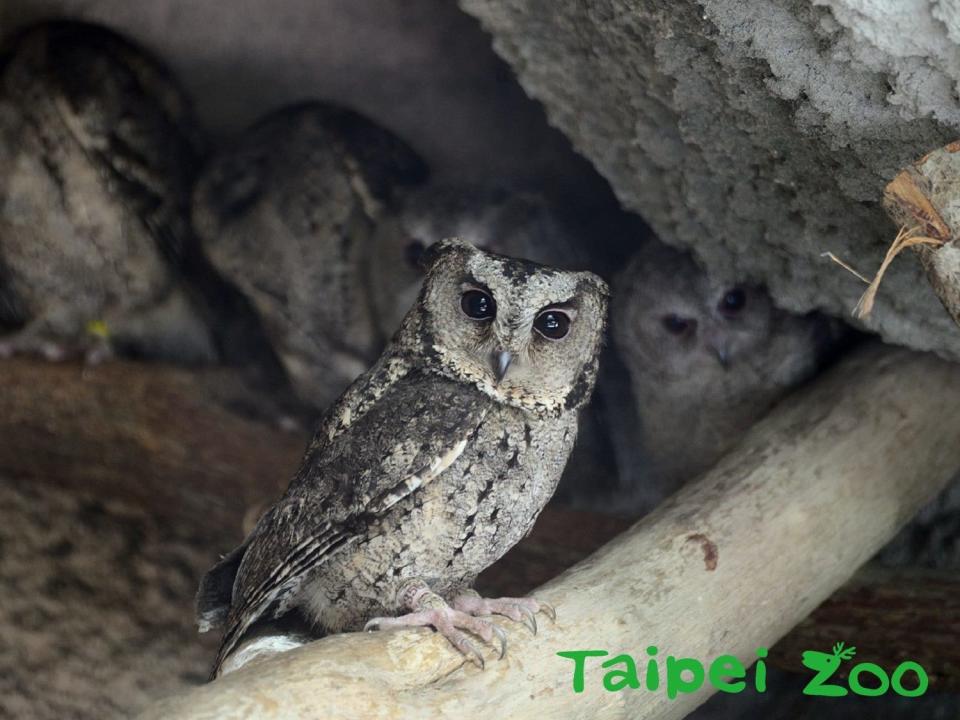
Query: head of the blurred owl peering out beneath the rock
{"points": [[673, 321]]}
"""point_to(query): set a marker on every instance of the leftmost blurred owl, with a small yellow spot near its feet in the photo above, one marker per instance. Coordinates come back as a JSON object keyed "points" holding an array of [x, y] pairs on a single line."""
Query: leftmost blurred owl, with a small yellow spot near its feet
{"points": [[97, 154]]}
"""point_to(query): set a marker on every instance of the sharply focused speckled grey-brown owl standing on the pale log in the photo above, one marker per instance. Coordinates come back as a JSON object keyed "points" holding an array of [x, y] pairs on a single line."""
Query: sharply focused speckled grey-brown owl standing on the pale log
{"points": [[432, 464]]}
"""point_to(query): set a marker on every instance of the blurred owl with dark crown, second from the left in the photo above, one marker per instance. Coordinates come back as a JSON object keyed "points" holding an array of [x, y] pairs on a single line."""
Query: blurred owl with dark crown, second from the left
{"points": [[286, 215]]}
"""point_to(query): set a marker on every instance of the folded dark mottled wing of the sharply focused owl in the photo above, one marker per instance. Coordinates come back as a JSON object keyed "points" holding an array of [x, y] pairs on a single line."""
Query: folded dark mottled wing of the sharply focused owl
{"points": [[407, 438]]}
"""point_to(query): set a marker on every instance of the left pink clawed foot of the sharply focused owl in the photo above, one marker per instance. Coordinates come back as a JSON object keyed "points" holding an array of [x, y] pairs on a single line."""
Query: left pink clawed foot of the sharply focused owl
{"points": [[429, 609]]}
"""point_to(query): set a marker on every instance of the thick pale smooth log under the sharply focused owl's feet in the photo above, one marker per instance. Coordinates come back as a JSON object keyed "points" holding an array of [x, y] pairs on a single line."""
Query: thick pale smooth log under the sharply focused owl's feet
{"points": [[729, 564]]}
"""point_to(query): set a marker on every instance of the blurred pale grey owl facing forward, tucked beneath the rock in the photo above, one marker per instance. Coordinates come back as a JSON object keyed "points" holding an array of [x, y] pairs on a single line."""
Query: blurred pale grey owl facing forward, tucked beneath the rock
{"points": [[705, 358]]}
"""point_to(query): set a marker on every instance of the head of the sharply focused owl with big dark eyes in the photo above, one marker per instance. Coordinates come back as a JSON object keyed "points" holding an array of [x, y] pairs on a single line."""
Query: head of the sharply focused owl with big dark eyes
{"points": [[526, 334]]}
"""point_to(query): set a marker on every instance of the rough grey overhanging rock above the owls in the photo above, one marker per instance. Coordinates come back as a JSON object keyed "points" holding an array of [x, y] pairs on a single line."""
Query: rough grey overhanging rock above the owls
{"points": [[758, 132]]}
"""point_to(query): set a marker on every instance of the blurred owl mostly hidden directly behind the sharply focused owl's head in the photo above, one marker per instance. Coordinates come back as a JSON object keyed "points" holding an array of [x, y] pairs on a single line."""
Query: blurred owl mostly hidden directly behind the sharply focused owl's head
{"points": [[521, 225]]}
